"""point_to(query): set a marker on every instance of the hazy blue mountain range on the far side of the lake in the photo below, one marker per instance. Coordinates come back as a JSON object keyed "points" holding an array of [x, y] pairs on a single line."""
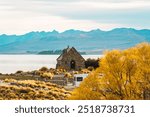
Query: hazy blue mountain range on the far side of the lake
{"points": [[91, 42]]}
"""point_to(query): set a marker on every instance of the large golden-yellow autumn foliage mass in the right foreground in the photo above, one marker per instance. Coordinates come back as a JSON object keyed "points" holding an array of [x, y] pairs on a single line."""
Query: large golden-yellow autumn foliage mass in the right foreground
{"points": [[121, 75]]}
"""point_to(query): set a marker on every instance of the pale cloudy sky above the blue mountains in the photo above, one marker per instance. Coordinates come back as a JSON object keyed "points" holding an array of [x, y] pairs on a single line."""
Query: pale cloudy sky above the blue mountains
{"points": [[22, 16]]}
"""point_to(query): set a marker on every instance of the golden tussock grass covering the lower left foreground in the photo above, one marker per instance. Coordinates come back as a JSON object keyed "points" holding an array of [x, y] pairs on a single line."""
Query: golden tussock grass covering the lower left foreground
{"points": [[11, 89]]}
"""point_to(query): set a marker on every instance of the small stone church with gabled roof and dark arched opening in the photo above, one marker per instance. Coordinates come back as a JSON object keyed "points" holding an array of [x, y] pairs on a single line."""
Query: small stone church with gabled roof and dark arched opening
{"points": [[70, 59]]}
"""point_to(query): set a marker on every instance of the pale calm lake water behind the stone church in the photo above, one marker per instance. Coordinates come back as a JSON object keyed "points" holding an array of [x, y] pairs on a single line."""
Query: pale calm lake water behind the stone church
{"points": [[13, 63]]}
